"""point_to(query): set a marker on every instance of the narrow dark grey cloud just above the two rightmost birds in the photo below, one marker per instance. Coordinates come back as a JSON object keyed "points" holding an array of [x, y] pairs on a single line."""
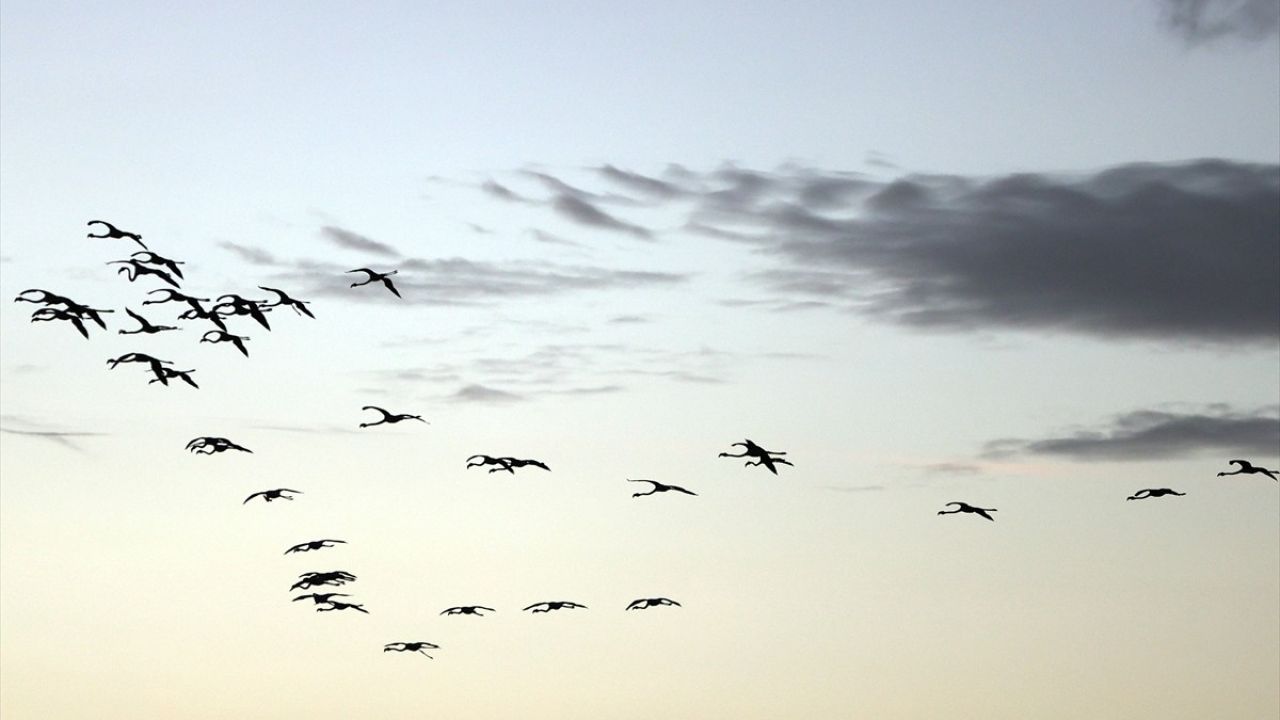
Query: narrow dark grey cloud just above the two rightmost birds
{"points": [[1158, 435]]}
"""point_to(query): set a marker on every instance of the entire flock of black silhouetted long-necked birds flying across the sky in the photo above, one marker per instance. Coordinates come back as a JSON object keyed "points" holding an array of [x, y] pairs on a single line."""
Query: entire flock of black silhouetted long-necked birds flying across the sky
{"points": [[147, 263]]}
